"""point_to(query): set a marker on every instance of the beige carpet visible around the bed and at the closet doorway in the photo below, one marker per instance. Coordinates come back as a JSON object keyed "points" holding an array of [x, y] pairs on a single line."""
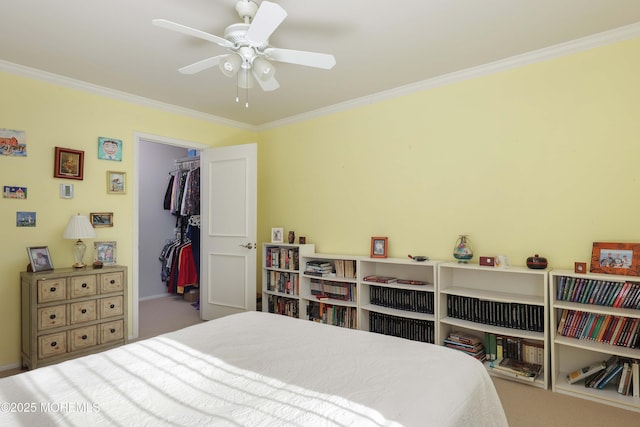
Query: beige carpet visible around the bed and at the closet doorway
{"points": [[524, 405]]}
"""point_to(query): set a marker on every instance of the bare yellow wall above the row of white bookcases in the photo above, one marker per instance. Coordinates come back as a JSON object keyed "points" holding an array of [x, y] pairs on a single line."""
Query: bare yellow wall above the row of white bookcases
{"points": [[539, 159]]}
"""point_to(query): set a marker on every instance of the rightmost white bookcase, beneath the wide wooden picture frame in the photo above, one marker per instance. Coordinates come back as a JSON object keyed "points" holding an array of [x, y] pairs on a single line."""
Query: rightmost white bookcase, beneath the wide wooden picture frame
{"points": [[569, 354]]}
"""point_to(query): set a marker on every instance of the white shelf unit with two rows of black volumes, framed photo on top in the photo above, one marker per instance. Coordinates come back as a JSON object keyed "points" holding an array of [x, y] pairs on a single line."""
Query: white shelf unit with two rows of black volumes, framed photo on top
{"points": [[404, 310]]}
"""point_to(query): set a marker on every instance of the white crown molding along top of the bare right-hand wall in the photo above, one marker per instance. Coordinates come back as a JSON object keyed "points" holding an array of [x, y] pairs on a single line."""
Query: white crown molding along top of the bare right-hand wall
{"points": [[574, 46]]}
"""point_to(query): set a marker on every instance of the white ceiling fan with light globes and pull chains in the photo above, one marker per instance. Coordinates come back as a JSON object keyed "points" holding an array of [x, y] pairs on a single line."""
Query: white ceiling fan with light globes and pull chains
{"points": [[248, 44]]}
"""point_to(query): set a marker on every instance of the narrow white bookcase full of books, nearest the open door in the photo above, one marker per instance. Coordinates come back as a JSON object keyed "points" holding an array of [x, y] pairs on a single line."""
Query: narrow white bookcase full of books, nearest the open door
{"points": [[281, 277]]}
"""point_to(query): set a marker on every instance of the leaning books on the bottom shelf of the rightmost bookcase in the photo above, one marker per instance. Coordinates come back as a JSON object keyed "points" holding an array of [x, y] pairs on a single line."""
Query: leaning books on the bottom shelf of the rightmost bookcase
{"points": [[621, 373]]}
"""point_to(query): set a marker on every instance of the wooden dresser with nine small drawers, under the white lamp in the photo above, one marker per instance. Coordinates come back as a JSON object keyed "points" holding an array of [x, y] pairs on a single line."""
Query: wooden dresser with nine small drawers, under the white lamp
{"points": [[69, 312]]}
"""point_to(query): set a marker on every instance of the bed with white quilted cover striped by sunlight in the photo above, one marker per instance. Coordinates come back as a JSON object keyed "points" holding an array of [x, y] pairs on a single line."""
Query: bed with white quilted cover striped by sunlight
{"points": [[258, 369]]}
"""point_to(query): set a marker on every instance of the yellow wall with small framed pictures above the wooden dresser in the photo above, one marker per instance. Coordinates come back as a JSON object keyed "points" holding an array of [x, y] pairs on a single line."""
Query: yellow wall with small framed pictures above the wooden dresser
{"points": [[54, 116]]}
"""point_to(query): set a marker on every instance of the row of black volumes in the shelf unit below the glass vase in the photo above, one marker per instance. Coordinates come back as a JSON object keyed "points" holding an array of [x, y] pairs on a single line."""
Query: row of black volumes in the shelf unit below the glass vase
{"points": [[504, 314]]}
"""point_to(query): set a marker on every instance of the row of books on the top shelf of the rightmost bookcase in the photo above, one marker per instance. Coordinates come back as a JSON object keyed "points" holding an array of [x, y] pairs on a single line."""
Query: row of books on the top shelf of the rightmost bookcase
{"points": [[599, 292]]}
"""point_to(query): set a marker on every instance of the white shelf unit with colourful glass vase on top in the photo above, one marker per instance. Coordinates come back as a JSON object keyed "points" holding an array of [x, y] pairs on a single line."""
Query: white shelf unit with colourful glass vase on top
{"points": [[514, 287]]}
